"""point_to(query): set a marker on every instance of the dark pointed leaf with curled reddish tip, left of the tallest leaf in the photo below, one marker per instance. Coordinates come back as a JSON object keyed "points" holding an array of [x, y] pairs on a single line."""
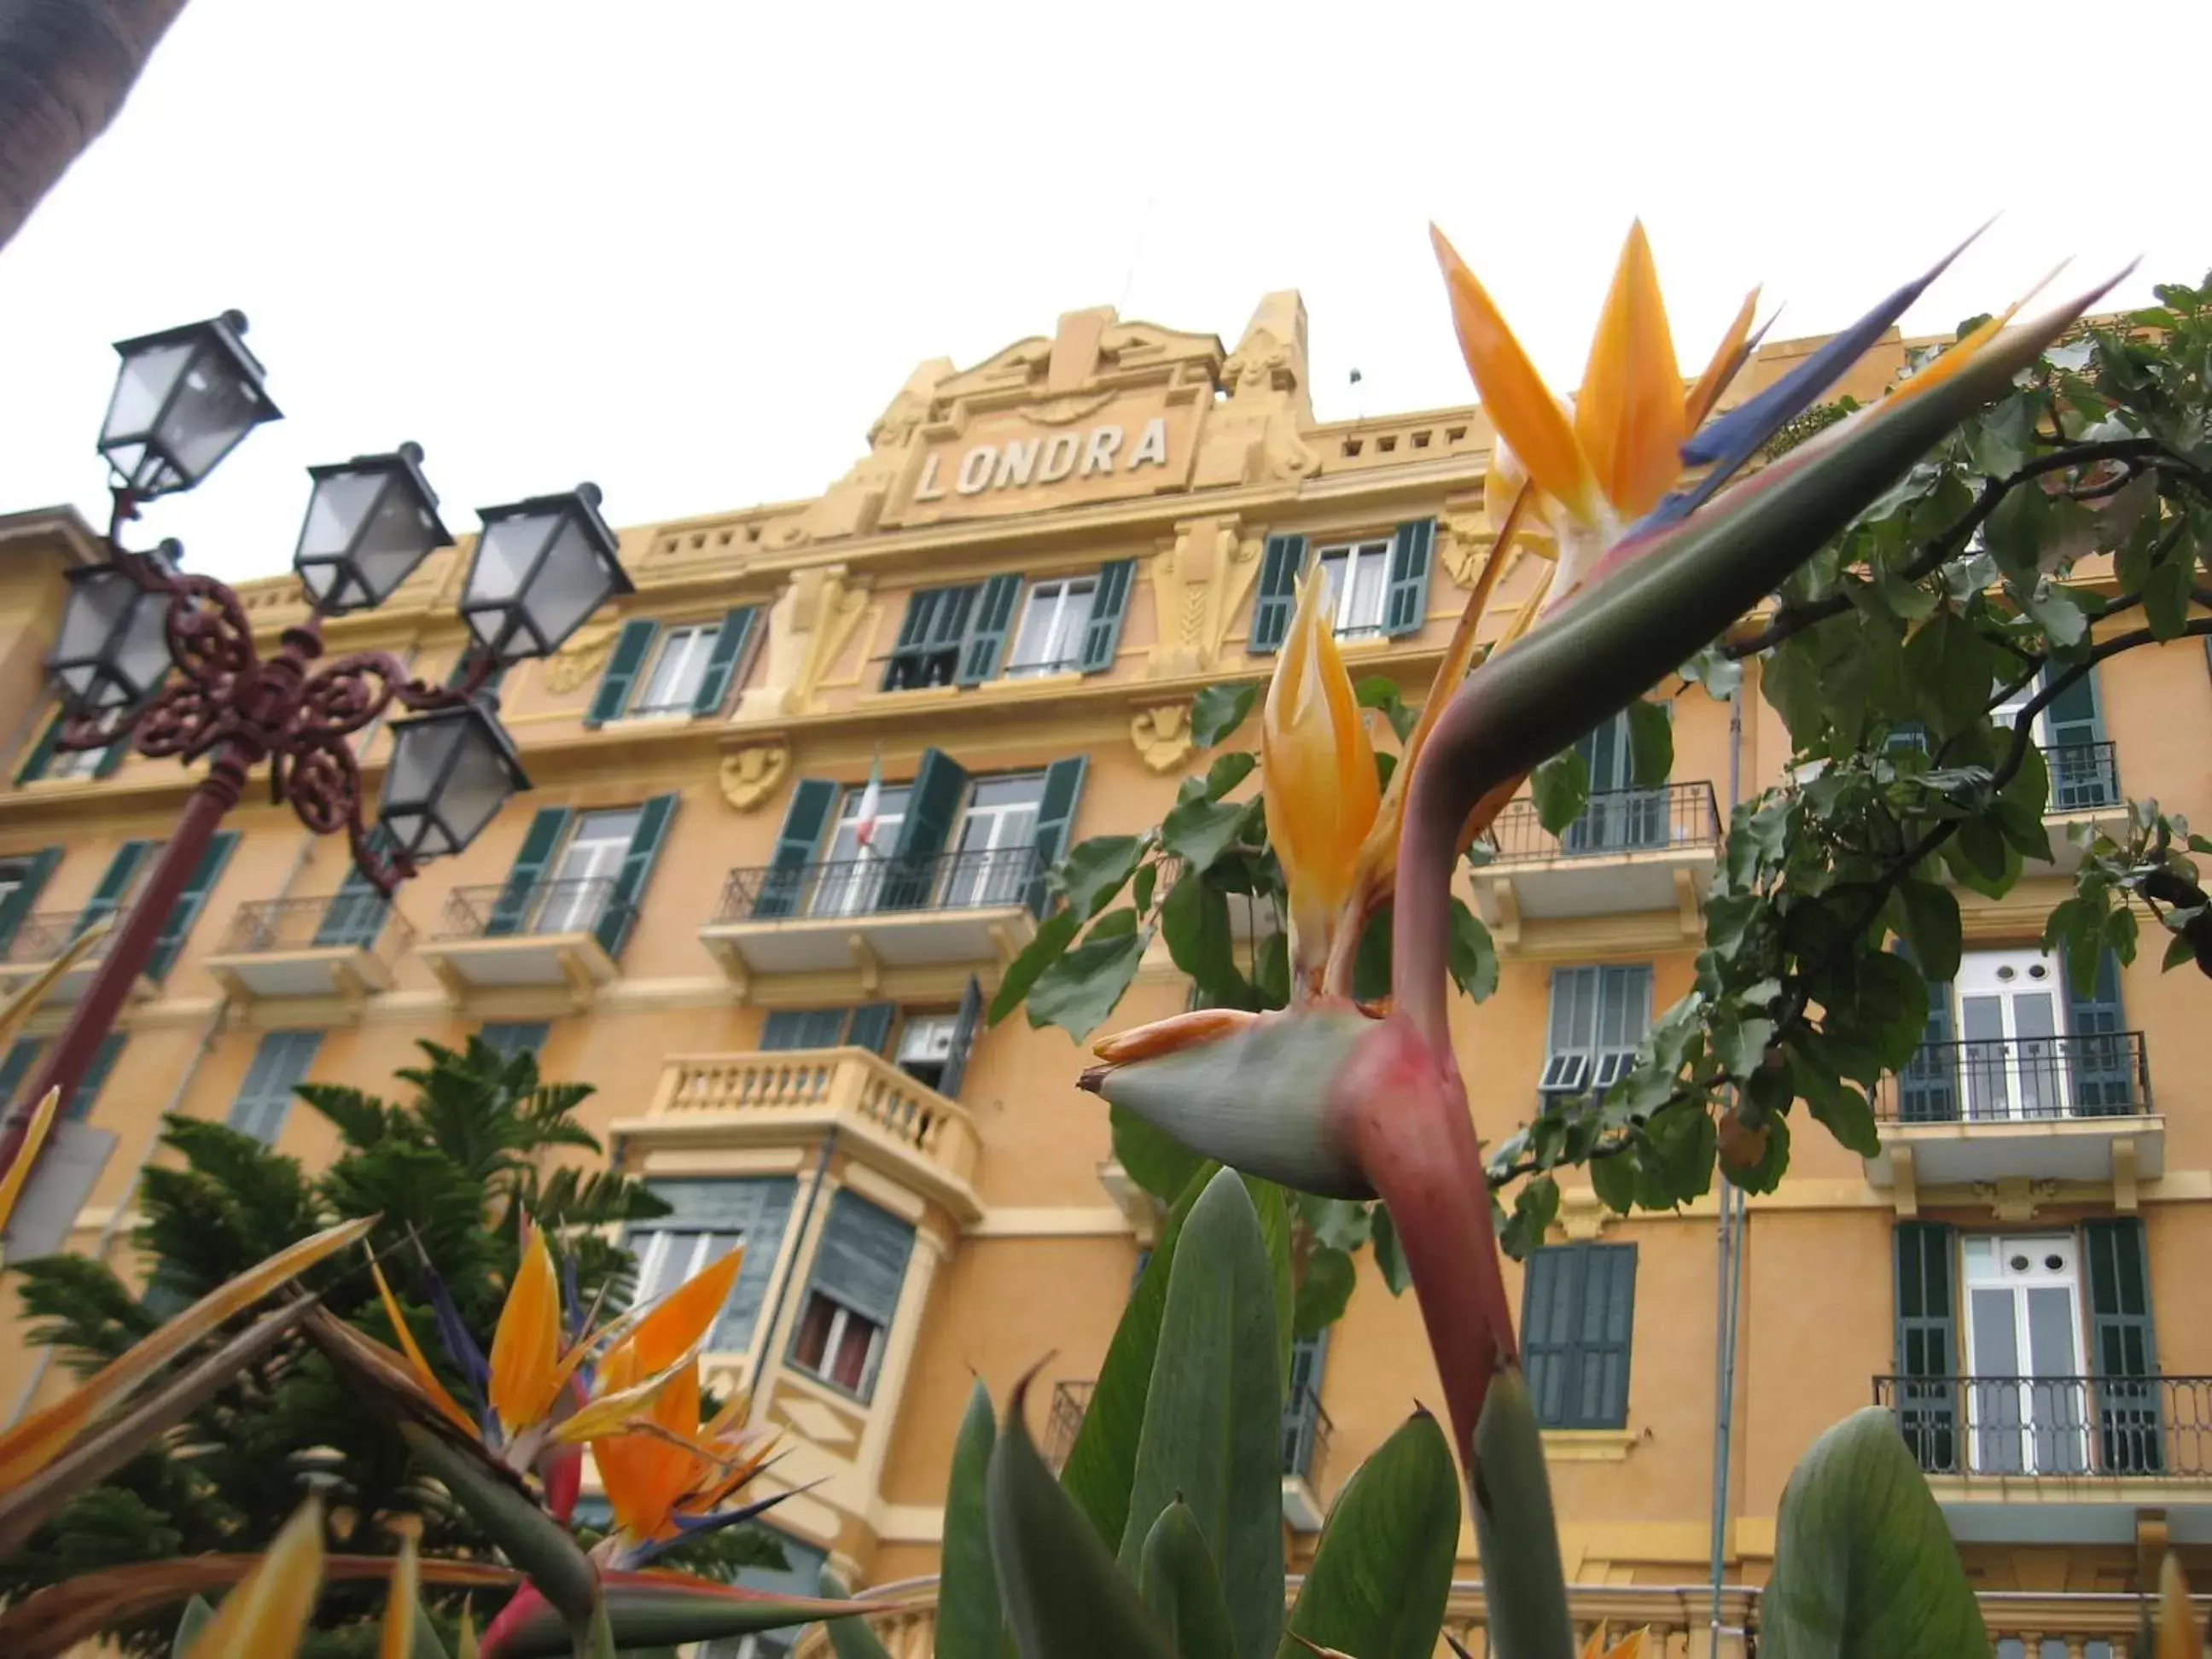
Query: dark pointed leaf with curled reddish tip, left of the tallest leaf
{"points": [[1065, 1596]]}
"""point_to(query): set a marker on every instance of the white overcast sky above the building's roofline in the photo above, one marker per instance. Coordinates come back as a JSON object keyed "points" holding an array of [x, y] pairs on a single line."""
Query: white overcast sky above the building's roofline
{"points": [[693, 249]]}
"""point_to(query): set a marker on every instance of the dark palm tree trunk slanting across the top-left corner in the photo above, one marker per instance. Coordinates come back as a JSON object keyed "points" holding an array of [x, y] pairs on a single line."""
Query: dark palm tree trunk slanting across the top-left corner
{"points": [[65, 72]]}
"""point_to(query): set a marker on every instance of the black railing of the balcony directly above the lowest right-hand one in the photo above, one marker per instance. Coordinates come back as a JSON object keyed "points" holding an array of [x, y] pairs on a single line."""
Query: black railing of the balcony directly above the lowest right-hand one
{"points": [[2003, 1081]]}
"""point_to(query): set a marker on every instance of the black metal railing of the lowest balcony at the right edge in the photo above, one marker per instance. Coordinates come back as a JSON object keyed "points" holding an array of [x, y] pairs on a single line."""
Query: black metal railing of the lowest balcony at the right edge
{"points": [[2054, 1426]]}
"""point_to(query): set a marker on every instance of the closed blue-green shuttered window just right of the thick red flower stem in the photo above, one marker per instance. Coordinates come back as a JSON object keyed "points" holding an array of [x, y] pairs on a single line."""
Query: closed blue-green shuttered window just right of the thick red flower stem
{"points": [[1578, 1319]]}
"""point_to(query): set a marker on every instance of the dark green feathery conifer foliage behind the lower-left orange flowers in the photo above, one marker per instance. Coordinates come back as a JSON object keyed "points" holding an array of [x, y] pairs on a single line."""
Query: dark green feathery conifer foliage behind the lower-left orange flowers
{"points": [[455, 1167]]}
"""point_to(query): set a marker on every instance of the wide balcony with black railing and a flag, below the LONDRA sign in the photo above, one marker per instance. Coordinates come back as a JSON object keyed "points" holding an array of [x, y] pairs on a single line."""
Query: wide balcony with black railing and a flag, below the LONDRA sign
{"points": [[873, 926]]}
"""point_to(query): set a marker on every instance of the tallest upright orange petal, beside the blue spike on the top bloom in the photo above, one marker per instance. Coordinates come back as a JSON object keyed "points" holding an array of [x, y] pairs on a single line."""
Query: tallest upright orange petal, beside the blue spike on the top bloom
{"points": [[1629, 415]]}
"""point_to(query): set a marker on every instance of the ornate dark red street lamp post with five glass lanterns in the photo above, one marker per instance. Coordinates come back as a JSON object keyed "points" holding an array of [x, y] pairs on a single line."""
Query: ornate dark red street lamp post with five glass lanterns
{"points": [[167, 660]]}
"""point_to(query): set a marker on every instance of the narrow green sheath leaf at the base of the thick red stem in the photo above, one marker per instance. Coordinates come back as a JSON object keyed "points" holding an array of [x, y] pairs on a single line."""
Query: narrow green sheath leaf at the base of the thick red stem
{"points": [[1516, 1534]]}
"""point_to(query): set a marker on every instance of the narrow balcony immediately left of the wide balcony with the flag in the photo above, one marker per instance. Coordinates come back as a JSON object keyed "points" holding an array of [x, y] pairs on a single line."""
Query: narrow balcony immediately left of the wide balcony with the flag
{"points": [[525, 937]]}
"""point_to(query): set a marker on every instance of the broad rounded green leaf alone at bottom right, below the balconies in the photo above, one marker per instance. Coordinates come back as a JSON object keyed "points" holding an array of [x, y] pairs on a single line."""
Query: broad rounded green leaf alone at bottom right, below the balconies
{"points": [[1864, 1561]]}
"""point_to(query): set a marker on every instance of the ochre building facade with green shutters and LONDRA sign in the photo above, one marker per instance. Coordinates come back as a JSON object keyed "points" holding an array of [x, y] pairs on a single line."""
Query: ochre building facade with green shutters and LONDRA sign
{"points": [[1010, 605]]}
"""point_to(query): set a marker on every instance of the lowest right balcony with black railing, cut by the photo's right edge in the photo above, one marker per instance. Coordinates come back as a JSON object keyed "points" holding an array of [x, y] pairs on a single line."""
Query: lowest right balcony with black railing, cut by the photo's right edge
{"points": [[2065, 1454]]}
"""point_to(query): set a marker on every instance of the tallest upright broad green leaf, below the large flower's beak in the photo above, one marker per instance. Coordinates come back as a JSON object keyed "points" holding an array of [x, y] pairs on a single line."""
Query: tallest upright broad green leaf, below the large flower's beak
{"points": [[1213, 1421]]}
